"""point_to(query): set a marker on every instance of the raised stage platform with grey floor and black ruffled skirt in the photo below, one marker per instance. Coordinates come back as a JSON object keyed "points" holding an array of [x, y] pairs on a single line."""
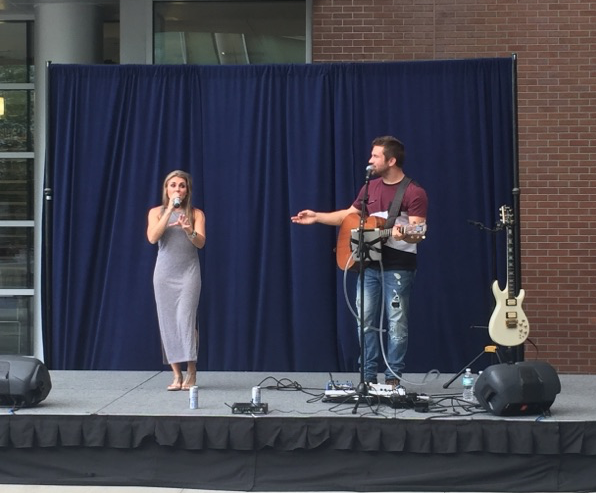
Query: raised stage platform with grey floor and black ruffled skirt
{"points": [[125, 429]]}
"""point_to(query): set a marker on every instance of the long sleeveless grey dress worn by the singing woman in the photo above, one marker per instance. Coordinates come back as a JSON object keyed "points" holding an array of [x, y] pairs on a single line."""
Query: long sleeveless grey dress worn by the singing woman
{"points": [[177, 286]]}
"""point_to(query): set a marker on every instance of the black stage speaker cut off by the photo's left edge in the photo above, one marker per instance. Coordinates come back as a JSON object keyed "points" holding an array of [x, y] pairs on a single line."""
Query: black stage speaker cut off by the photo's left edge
{"points": [[24, 381]]}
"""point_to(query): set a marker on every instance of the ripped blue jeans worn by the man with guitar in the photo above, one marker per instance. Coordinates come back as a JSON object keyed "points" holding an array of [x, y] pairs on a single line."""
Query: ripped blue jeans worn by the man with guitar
{"points": [[396, 286]]}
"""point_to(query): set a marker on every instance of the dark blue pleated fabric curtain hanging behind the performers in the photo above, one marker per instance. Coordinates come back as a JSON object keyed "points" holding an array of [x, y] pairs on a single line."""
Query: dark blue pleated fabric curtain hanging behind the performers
{"points": [[262, 143]]}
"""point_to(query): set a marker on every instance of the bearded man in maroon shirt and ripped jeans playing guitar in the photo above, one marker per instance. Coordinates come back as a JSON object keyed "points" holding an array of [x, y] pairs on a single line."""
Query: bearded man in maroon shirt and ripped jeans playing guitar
{"points": [[394, 278]]}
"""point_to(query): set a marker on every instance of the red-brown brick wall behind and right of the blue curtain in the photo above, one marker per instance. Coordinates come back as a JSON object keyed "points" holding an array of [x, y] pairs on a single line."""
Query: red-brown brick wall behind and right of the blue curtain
{"points": [[555, 42]]}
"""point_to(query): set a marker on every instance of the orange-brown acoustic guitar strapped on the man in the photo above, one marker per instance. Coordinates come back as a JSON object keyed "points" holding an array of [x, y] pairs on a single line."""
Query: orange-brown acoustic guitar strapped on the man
{"points": [[373, 227]]}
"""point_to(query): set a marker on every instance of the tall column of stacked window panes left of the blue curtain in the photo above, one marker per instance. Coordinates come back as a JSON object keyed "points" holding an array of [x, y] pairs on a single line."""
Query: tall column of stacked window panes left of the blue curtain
{"points": [[16, 187]]}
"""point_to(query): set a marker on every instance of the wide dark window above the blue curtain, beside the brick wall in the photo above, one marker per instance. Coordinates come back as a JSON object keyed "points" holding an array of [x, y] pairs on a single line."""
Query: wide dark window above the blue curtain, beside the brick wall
{"points": [[221, 33]]}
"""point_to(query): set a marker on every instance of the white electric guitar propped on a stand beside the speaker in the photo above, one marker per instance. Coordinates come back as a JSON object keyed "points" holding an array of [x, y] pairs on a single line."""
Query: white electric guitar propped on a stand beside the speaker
{"points": [[508, 325]]}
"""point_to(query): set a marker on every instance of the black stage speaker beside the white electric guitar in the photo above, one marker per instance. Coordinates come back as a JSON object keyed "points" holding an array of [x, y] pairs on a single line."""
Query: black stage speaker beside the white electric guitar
{"points": [[515, 389]]}
